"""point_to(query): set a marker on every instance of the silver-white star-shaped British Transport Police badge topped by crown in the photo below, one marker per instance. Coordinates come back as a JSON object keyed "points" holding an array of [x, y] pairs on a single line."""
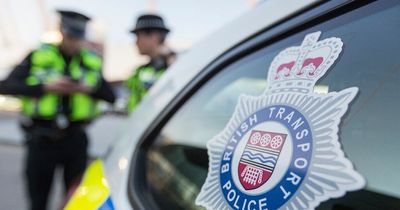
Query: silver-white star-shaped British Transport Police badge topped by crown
{"points": [[280, 150]]}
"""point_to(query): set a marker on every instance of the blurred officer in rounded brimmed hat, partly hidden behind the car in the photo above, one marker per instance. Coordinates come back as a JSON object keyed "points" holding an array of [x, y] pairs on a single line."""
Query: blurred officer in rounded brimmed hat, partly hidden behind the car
{"points": [[151, 33]]}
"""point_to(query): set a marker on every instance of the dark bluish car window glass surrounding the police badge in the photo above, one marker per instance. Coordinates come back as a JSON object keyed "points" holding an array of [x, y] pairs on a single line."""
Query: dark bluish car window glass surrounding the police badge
{"points": [[177, 161]]}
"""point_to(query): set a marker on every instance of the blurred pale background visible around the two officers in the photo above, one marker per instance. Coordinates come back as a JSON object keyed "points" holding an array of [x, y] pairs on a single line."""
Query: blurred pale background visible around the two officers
{"points": [[24, 24]]}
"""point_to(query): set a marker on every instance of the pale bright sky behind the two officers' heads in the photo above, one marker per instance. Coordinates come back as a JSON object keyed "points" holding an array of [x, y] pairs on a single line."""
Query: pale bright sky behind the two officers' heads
{"points": [[189, 20]]}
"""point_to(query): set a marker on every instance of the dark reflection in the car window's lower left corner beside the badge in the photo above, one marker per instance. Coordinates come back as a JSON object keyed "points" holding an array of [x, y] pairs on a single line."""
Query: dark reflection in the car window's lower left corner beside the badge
{"points": [[175, 171]]}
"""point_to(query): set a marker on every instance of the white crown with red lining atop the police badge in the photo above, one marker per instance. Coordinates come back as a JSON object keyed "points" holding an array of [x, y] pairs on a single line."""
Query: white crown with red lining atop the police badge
{"points": [[298, 68]]}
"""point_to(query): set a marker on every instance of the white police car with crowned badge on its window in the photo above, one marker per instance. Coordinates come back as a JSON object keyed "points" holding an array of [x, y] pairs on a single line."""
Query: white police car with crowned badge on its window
{"points": [[293, 106]]}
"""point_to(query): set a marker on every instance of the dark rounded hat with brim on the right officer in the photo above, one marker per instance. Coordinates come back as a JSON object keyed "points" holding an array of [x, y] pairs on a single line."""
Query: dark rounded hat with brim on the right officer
{"points": [[150, 22]]}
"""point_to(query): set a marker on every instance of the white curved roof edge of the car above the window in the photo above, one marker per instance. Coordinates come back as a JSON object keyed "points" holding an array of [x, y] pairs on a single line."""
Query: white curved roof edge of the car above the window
{"points": [[186, 68]]}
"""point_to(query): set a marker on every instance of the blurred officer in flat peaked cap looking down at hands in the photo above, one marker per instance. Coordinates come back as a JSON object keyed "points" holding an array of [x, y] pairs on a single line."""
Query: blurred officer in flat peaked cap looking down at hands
{"points": [[60, 86]]}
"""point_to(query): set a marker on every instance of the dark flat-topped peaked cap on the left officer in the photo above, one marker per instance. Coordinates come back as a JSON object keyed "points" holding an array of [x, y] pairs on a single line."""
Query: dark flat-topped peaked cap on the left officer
{"points": [[73, 23]]}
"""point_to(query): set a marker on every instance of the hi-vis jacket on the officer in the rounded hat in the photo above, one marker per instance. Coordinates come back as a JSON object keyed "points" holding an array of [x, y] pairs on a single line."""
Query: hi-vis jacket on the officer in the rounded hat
{"points": [[140, 82]]}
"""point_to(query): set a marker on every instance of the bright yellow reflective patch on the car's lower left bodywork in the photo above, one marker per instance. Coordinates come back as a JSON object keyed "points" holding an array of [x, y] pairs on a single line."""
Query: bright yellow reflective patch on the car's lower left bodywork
{"points": [[93, 190]]}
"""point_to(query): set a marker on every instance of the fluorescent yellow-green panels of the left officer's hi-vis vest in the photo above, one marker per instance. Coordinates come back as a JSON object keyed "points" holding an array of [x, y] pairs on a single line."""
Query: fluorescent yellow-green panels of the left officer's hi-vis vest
{"points": [[48, 64]]}
